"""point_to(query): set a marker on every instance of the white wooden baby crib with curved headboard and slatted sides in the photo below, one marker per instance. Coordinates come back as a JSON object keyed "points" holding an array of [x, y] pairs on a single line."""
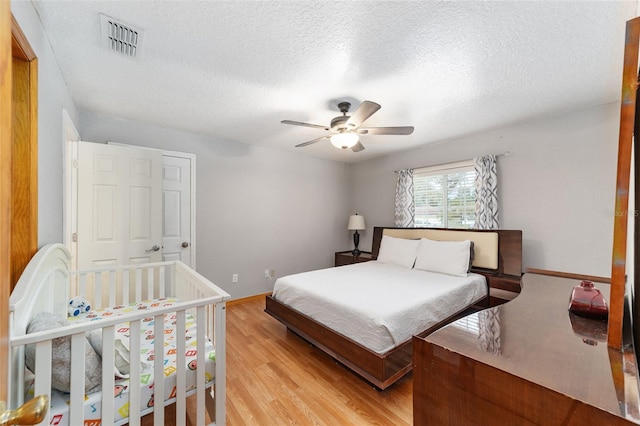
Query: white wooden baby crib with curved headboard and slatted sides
{"points": [[48, 284]]}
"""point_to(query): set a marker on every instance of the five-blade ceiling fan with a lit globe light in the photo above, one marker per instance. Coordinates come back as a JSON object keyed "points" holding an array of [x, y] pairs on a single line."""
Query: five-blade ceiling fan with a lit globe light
{"points": [[346, 129]]}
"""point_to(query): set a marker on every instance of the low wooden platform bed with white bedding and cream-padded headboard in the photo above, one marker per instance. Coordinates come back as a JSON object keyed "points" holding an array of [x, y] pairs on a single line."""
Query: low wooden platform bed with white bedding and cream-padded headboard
{"points": [[384, 354]]}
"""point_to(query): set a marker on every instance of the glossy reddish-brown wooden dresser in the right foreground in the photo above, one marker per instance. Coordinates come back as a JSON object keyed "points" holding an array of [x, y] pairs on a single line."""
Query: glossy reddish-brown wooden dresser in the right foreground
{"points": [[522, 363]]}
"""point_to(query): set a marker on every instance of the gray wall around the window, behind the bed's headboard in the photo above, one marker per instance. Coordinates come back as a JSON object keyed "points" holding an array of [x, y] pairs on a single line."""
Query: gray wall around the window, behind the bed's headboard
{"points": [[557, 186]]}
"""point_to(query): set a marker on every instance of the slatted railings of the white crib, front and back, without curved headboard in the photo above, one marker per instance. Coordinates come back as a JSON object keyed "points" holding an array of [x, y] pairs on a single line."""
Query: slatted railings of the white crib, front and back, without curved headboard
{"points": [[122, 285]]}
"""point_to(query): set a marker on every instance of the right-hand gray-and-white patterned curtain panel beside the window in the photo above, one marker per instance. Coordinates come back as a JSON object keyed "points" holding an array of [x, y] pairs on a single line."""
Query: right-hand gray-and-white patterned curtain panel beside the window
{"points": [[486, 192]]}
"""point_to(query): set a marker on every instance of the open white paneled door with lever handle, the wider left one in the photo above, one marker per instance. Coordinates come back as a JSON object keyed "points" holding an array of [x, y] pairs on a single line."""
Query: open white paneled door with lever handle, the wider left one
{"points": [[119, 205]]}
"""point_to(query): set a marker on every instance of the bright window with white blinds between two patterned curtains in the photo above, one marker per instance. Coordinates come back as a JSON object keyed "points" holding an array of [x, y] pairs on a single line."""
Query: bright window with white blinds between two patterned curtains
{"points": [[445, 196]]}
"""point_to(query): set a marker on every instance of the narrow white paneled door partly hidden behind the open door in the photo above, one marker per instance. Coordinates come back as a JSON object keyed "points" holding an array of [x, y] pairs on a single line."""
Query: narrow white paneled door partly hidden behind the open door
{"points": [[176, 198]]}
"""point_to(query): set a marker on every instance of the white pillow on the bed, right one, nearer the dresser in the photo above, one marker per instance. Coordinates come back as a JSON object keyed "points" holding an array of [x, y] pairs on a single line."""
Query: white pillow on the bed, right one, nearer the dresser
{"points": [[445, 257]]}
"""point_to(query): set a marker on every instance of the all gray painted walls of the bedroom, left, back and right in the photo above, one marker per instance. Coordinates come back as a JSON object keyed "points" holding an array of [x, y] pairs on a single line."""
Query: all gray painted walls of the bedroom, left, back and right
{"points": [[259, 208]]}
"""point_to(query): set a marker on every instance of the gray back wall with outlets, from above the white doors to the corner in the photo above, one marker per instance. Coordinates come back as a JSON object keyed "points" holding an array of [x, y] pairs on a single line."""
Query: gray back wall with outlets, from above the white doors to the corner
{"points": [[257, 208]]}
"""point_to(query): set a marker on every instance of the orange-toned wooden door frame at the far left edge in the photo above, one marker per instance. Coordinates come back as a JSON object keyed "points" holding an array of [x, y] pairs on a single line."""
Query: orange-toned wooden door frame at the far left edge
{"points": [[18, 167]]}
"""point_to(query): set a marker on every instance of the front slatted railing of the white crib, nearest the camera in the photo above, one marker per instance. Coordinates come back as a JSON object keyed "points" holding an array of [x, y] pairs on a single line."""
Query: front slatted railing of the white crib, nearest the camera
{"points": [[77, 332]]}
